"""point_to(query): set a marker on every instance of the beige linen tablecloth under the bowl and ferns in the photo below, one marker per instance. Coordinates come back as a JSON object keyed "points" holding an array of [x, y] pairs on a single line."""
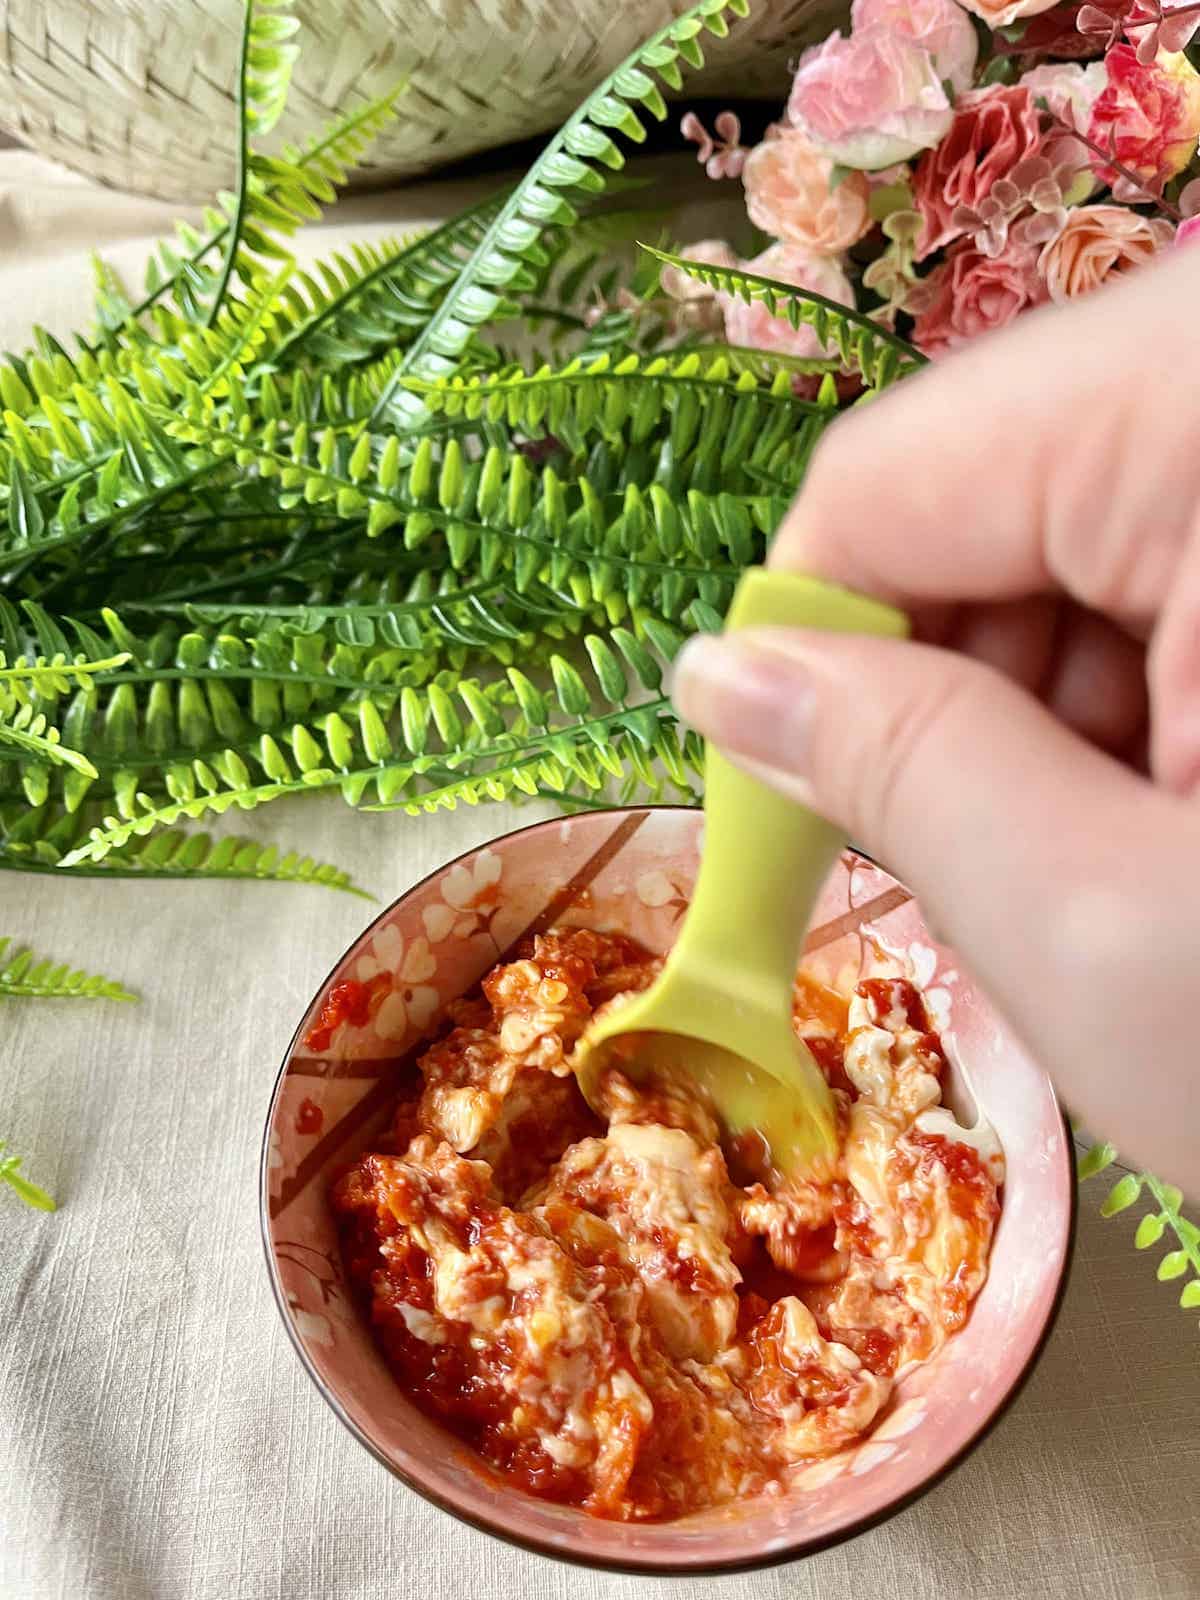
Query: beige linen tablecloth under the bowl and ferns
{"points": [[158, 1436]]}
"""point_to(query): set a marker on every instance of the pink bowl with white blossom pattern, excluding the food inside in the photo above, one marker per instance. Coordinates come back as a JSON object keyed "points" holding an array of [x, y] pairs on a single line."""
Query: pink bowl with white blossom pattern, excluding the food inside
{"points": [[634, 871]]}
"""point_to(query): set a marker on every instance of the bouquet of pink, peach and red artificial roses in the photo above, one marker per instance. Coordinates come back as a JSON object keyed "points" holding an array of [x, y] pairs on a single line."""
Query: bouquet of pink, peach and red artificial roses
{"points": [[946, 167]]}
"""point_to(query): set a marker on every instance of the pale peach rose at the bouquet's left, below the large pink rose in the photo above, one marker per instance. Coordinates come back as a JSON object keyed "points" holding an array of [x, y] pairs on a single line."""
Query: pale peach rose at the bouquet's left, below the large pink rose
{"points": [[788, 194]]}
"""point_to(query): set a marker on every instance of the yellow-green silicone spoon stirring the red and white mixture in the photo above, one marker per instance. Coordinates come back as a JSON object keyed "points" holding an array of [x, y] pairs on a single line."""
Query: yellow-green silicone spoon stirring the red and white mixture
{"points": [[721, 1012]]}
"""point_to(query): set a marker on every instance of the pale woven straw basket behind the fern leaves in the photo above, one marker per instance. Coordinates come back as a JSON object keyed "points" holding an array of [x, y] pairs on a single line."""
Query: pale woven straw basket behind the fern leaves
{"points": [[138, 94]]}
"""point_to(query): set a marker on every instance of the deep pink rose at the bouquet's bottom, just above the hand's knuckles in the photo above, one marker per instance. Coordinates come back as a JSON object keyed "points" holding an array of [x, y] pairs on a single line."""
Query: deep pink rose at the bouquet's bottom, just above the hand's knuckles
{"points": [[972, 294]]}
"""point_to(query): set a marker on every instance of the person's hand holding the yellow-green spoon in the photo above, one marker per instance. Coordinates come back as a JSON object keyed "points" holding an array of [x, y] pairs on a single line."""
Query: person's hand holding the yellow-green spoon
{"points": [[1031, 766]]}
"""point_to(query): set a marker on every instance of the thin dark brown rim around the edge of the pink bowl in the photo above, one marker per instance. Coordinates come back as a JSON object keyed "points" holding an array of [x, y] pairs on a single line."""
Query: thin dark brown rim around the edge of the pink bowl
{"points": [[678, 1569]]}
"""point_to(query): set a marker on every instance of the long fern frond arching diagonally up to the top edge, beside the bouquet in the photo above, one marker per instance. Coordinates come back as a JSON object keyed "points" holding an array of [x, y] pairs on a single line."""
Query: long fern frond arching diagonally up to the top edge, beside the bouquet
{"points": [[569, 166]]}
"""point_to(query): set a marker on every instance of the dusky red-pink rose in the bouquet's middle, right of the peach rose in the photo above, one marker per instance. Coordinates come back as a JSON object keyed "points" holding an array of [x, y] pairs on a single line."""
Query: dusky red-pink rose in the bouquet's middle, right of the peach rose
{"points": [[993, 132]]}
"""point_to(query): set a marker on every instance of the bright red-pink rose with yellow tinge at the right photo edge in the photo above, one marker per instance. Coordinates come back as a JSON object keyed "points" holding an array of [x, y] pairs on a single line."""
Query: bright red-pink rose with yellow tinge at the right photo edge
{"points": [[1148, 118]]}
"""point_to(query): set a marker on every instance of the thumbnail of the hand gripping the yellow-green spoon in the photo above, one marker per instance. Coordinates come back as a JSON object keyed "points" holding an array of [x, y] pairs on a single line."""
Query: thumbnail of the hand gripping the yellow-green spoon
{"points": [[754, 703]]}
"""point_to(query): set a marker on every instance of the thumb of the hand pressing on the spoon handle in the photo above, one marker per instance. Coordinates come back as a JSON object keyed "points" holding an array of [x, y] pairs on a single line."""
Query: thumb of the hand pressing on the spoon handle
{"points": [[1049, 866]]}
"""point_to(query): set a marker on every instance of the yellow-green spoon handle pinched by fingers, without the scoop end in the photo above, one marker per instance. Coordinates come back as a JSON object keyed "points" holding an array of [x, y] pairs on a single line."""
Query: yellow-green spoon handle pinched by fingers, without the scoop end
{"points": [[766, 857]]}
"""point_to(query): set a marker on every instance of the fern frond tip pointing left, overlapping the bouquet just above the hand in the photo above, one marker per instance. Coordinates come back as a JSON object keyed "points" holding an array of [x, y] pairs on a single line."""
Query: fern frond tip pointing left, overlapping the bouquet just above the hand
{"points": [[865, 345]]}
